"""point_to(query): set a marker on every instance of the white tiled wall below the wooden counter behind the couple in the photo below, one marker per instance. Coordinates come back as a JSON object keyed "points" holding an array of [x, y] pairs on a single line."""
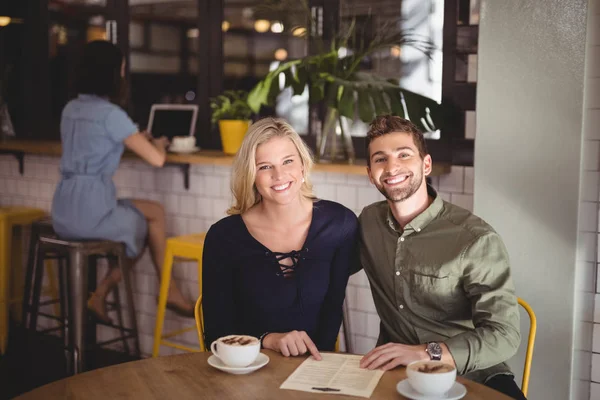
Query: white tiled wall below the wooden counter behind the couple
{"points": [[194, 210]]}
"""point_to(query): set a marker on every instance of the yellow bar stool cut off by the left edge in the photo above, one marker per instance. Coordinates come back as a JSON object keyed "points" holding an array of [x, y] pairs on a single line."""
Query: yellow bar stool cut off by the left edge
{"points": [[9, 218]]}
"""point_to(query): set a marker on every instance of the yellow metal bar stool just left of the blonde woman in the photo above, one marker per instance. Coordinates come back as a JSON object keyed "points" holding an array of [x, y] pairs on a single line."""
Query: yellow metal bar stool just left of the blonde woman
{"points": [[188, 247]]}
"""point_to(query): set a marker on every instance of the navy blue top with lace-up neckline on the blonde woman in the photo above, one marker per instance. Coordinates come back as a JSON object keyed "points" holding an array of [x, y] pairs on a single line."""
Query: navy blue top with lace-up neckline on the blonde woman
{"points": [[245, 291]]}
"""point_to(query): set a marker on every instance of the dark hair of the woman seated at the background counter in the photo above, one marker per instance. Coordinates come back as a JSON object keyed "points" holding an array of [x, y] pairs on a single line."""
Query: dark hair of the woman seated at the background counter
{"points": [[100, 72]]}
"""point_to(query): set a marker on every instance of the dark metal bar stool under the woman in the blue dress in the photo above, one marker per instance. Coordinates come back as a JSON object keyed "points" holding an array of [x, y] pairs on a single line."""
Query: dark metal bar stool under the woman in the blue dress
{"points": [[79, 259]]}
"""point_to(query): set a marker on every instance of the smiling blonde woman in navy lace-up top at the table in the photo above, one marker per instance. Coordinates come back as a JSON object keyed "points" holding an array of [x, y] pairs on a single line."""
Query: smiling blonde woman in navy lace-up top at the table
{"points": [[277, 267]]}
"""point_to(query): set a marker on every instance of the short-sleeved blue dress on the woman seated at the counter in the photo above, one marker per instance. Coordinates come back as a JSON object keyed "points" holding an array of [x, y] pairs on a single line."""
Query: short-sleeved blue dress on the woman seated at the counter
{"points": [[85, 204]]}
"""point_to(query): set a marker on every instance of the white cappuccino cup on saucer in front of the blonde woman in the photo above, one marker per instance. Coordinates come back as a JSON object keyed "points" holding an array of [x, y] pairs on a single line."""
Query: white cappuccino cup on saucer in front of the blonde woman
{"points": [[236, 350]]}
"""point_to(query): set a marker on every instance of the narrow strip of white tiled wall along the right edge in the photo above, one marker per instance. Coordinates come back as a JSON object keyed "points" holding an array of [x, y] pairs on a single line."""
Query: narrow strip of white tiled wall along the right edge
{"points": [[587, 296]]}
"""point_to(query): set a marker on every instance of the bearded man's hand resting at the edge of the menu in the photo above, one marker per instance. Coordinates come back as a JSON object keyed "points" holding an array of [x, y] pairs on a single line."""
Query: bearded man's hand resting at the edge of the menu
{"points": [[392, 355]]}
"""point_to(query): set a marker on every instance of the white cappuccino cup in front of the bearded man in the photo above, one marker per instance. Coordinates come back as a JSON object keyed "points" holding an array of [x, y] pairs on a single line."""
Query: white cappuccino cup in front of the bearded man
{"points": [[431, 378]]}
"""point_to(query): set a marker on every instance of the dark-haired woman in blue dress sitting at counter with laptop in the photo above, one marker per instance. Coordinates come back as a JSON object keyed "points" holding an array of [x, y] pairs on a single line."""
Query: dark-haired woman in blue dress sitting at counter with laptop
{"points": [[94, 132]]}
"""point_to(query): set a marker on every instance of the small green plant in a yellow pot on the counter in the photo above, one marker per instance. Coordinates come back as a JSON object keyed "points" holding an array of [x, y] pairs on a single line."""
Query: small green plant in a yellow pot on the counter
{"points": [[232, 112]]}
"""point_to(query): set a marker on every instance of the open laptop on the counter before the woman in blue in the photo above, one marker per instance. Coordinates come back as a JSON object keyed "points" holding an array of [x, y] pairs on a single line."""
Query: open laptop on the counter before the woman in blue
{"points": [[172, 120]]}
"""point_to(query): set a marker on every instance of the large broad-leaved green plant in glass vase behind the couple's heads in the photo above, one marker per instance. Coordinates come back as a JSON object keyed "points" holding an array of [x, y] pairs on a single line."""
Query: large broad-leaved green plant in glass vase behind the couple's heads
{"points": [[334, 78]]}
